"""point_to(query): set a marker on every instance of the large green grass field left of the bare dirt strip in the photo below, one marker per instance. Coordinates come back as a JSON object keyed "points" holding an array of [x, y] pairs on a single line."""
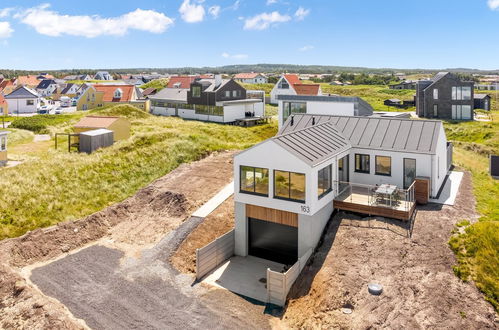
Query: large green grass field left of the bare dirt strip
{"points": [[62, 186]]}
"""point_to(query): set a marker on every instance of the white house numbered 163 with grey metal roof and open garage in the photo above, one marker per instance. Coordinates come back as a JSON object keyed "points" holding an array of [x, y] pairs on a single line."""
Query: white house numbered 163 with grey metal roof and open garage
{"points": [[287, 187]]}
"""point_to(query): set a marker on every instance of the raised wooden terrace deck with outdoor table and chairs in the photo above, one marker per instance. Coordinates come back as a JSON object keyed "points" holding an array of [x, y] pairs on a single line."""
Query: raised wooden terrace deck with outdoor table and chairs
{"points": [[361, 199]]}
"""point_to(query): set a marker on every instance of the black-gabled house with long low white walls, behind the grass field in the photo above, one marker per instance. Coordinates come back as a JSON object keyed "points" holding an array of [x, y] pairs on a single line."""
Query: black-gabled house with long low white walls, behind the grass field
{"points": [[219, 100]]}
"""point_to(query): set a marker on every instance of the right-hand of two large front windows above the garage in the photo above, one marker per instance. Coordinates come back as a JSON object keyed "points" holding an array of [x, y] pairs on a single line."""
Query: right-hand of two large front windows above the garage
{"points": [[289, 185]]}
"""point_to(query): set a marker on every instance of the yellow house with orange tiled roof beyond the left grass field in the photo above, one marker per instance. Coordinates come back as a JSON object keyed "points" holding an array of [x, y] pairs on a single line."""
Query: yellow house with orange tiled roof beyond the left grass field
{"points": [[101, 95]]}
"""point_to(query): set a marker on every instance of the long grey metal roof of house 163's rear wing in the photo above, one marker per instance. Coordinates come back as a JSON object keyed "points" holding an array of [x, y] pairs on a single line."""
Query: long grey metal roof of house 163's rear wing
{"points": [[390, 134]]}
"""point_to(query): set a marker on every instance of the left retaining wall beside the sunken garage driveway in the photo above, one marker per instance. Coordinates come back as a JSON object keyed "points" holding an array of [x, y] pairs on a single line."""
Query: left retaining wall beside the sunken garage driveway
{"points": [[214, 254]]}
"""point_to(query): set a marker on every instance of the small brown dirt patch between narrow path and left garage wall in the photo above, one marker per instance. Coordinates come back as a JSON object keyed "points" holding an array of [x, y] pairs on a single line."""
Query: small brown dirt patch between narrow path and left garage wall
{"points": [[215, 225]]}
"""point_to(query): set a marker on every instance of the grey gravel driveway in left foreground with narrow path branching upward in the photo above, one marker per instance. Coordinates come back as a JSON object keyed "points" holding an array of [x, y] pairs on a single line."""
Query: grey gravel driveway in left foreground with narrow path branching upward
{"points": [[147, 293]]}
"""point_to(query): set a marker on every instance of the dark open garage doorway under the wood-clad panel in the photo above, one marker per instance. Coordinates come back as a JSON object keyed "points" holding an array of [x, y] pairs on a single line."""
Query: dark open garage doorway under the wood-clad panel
{"points": [[273, 241]]}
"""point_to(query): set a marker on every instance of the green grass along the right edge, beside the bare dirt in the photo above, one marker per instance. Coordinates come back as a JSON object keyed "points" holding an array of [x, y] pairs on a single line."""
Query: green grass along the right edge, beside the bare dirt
{"points": [[477, 247]]}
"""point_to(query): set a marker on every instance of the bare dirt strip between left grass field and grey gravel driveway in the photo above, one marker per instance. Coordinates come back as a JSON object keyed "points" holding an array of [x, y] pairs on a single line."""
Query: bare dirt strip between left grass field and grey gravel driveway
{"points": [[131, 228]]}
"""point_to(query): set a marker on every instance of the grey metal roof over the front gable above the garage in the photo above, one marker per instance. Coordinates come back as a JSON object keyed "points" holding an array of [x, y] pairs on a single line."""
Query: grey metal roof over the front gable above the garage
{"points": [[314, 144]]}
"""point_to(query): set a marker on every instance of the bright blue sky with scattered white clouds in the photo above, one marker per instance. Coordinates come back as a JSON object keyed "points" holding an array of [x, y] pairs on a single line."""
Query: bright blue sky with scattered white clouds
{"points": [[93, 34]]}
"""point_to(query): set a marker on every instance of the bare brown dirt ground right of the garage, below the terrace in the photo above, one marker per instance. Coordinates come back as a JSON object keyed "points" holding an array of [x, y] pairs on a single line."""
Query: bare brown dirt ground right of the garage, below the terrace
{"points": [[420, 290]]}
